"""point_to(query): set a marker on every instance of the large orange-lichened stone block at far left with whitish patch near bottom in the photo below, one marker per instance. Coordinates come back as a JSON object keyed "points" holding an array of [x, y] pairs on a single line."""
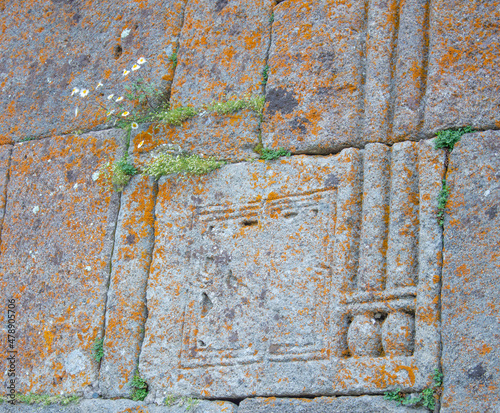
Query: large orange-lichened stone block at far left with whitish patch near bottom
{"points": [[56, 247]]}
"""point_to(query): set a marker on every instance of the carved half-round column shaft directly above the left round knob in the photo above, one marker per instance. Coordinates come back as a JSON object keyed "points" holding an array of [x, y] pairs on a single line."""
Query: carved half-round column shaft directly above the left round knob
{"points": [[373, 244]]}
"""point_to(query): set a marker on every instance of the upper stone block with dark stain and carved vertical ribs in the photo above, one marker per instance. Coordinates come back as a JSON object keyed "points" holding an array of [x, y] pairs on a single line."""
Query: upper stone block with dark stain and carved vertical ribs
{"points": [[345, 73]]}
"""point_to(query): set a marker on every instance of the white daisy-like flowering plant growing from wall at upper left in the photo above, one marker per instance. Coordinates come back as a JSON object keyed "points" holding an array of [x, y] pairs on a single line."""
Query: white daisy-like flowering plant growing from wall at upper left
{"points": [[141, 101]]}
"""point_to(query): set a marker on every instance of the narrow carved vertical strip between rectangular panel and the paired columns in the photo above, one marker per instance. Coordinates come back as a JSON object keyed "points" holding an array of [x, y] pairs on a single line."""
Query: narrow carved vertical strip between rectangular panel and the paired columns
{"points": [[347, 230]]}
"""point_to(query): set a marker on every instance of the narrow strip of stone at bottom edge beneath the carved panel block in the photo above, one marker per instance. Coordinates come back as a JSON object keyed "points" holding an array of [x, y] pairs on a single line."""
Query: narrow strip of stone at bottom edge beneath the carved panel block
{"points": [[361, 404]]}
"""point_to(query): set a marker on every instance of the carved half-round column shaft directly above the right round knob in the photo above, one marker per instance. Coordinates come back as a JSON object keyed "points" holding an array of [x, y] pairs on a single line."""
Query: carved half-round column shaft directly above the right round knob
{"points": [[402, 250]]}
